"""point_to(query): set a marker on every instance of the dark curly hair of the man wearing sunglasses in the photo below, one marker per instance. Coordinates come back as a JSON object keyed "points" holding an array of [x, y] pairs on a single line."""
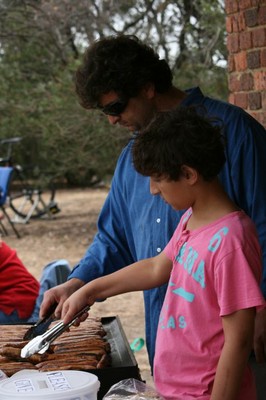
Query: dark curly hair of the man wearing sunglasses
{"points": [[122, 64]]}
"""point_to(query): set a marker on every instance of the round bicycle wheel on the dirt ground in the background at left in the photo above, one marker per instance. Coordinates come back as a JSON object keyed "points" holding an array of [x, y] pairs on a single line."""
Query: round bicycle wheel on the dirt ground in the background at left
{"points": [[31, 198]]}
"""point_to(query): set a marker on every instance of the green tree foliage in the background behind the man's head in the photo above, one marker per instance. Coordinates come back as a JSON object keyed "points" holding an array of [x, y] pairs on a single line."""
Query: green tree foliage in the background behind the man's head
{"points": [[40, 47]]}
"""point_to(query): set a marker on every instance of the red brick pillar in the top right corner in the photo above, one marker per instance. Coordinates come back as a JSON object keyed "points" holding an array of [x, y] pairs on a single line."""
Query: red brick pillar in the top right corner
{"points": [[246, 44]]}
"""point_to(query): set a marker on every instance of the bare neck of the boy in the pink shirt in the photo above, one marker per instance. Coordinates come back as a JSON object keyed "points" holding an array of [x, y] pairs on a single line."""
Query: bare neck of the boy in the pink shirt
{"points": [[212, 203]]}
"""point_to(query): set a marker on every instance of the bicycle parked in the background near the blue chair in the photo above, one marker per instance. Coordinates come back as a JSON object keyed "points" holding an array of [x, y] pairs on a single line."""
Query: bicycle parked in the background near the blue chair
{"points": [[28, 197]]}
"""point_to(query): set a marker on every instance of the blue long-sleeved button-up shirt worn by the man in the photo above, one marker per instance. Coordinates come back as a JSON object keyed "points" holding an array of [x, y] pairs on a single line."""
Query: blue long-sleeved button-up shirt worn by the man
{"points": [[134, 225]]}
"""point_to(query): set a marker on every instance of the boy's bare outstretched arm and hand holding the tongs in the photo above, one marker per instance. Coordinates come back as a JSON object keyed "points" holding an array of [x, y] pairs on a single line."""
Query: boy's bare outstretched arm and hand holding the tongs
{"points": [[142, 275]]}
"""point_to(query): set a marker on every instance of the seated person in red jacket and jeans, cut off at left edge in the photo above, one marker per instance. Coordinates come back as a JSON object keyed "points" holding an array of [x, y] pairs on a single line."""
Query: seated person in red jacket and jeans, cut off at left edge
{"points": [[20, 292]]}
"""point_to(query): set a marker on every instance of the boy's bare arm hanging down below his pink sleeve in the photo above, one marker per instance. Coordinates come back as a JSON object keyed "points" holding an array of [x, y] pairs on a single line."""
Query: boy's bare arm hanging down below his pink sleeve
{"points": [[238, 332]]}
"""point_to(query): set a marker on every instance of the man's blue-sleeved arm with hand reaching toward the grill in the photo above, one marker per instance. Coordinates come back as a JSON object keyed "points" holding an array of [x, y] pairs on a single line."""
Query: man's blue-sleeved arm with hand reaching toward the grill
{"points": [[110, 247]]}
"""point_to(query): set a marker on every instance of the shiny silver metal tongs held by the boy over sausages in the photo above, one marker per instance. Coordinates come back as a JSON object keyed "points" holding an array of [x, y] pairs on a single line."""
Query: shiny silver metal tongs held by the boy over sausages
{"points": [[41, 343]]}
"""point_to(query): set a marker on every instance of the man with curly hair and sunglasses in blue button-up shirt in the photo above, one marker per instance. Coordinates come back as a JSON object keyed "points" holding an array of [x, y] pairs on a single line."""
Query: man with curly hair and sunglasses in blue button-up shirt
{"points": [[129, 83]]}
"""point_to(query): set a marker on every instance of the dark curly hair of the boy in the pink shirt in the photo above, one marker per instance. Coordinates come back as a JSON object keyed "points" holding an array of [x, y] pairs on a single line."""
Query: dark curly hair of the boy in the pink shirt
{"points": [[179, 137]]}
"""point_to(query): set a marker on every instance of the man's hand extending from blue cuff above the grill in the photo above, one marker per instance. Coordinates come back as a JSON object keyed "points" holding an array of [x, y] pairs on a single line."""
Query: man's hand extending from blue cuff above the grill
{"points": [[59, 294]]}
